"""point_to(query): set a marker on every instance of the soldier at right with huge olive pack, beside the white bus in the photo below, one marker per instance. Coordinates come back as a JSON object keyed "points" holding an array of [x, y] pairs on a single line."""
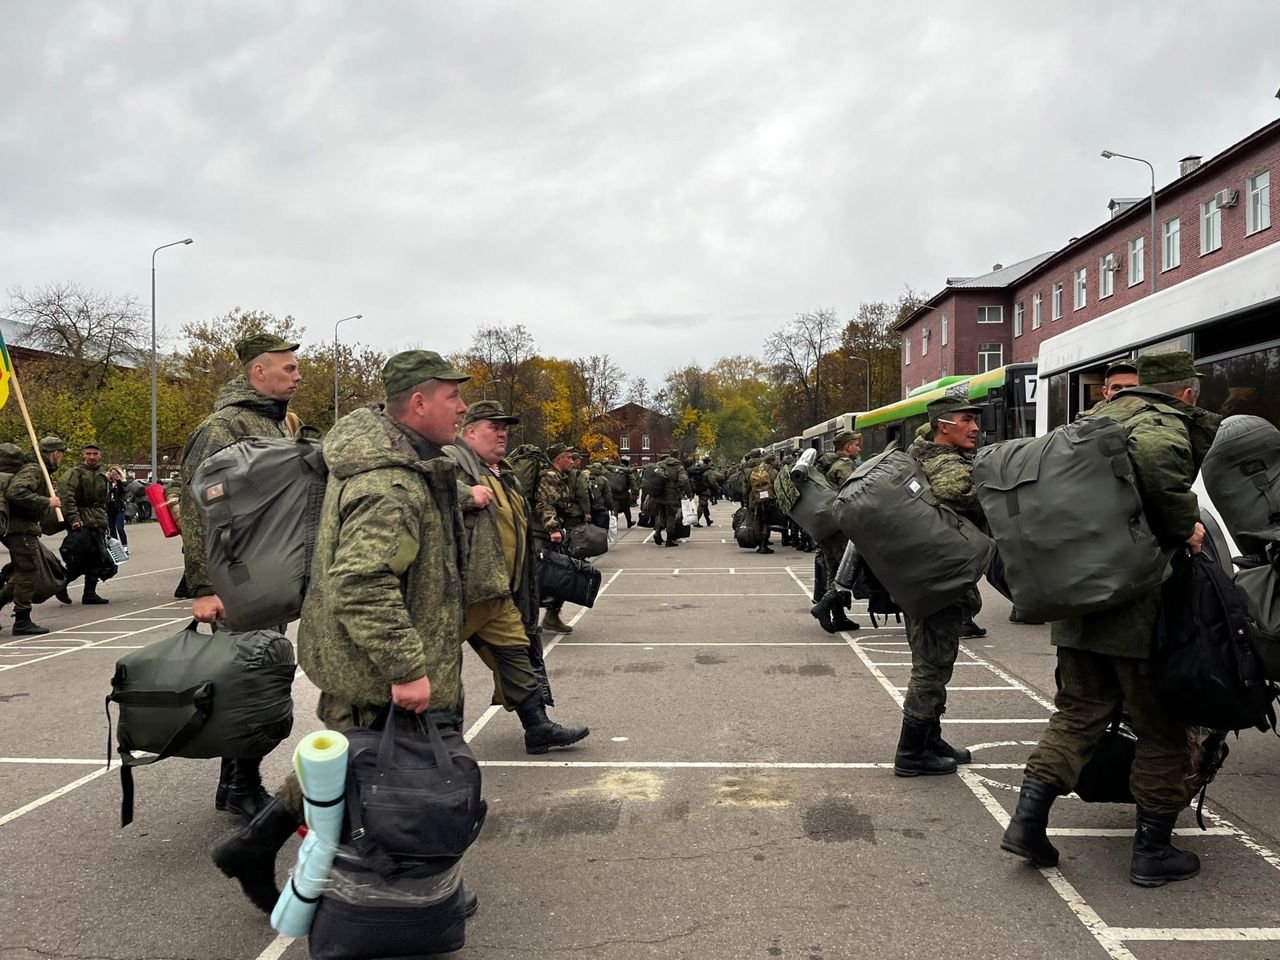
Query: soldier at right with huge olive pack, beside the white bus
{"points": [[1103, 660]]}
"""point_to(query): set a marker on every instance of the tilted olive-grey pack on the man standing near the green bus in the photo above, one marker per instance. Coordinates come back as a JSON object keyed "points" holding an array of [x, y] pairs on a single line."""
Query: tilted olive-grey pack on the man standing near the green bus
{"points": [[925, 554]]}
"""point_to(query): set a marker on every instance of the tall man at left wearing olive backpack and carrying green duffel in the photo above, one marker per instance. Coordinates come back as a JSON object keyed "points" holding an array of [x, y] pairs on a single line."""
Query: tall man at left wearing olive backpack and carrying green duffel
{"points": [[253, 405]]}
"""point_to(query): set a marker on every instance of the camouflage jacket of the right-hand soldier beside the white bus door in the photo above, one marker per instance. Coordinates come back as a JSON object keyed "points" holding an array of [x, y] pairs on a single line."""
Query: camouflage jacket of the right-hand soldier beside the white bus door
{"points": [[1168, 442]]}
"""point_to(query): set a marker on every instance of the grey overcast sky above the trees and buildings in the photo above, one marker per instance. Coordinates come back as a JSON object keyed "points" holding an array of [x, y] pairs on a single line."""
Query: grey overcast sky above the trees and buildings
{"points": [[668, 182]]}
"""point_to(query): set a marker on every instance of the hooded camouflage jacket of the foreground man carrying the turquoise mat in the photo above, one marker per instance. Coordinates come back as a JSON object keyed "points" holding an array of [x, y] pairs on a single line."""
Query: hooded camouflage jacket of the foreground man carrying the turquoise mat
{"points": [[385, 605]]}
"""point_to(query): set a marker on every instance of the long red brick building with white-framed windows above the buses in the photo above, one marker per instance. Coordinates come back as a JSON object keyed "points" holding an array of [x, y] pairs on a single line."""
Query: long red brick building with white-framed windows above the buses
{"points": [[1215, 213]]}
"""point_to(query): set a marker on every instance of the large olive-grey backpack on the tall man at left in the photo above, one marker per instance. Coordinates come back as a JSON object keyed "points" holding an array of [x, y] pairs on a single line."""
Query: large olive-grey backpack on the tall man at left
{"points": [[259, 502]]}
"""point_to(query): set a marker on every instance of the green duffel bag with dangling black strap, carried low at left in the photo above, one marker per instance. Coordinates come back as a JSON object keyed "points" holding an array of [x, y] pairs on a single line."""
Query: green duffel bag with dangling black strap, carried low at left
{"points": [[200, 697]]}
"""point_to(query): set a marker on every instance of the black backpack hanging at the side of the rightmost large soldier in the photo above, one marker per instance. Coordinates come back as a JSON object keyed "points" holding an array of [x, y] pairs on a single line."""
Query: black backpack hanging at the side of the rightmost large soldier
{"points": [[1205, 664]]}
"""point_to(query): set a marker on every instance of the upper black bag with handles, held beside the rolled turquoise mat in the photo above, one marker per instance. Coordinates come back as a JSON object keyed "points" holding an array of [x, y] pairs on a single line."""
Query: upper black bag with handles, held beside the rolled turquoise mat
{"points": [[413, 796]]}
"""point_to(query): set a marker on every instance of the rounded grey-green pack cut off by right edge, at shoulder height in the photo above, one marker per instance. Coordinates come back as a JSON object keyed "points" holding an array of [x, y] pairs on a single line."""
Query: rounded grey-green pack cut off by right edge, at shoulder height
{"points": [[1242, 476]]}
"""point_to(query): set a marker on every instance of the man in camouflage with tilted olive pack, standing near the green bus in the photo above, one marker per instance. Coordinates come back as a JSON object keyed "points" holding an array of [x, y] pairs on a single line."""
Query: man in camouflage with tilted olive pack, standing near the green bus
{"points": [[935, 641]]}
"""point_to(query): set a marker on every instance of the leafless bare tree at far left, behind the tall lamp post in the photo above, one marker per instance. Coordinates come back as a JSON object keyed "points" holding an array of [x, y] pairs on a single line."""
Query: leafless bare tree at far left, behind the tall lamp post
{"points": [[98, 331]]}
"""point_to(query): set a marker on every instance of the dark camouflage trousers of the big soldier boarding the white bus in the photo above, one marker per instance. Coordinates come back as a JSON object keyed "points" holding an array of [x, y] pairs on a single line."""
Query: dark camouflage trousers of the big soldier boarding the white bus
{"points": [[1091, 685]]}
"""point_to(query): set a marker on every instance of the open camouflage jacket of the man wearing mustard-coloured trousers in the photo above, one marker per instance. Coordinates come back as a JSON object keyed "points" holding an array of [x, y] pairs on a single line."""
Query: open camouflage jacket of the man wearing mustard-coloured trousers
{"points": [[487, 575]]}
